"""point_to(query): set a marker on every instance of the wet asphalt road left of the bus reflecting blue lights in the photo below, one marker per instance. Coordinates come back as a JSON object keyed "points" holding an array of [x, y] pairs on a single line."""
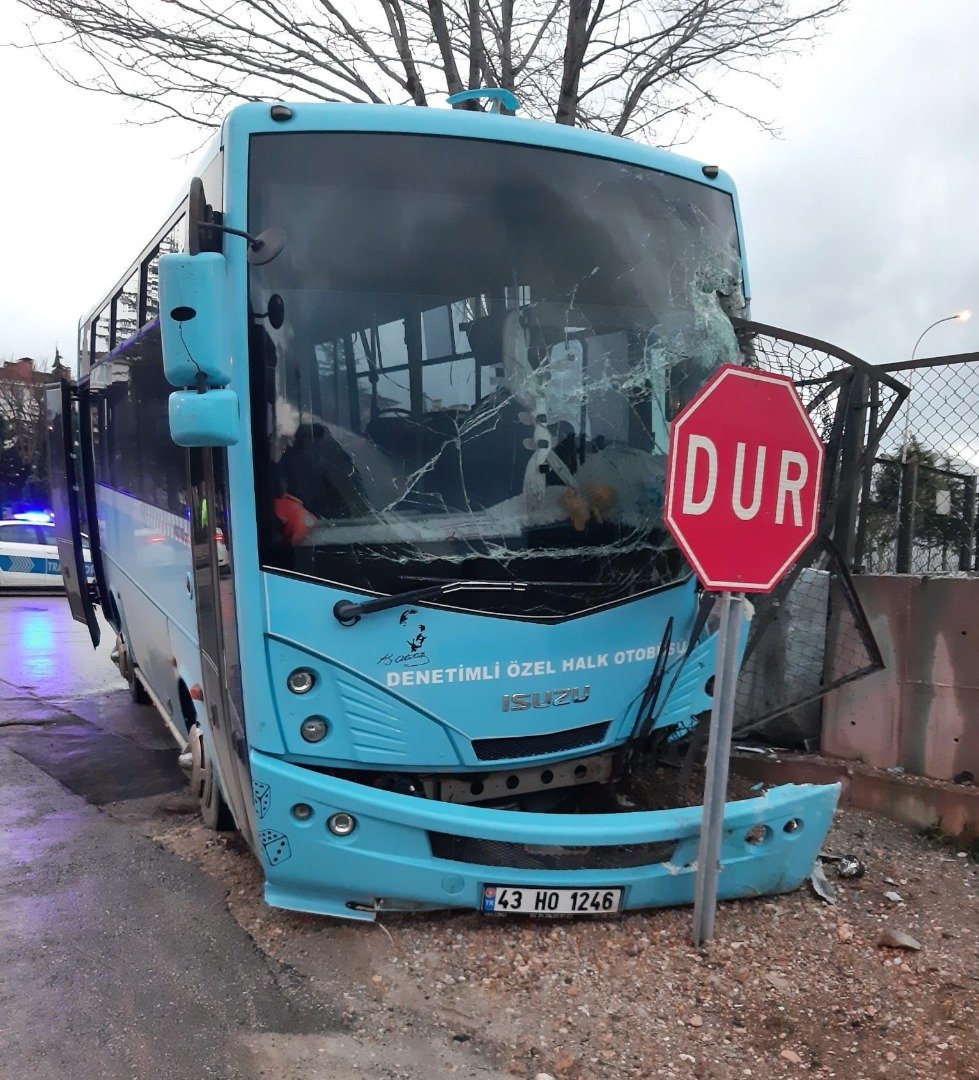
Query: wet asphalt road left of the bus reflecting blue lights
{"points": [[117, 958]]}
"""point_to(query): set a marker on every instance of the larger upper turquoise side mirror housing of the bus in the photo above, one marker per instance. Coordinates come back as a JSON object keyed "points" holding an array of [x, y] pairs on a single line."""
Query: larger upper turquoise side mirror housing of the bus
{"points": [[194, 320]]}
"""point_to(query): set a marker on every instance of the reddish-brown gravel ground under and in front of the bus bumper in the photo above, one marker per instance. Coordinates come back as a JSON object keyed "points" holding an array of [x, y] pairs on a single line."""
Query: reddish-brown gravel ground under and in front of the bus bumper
{"points": [[790, 985]]}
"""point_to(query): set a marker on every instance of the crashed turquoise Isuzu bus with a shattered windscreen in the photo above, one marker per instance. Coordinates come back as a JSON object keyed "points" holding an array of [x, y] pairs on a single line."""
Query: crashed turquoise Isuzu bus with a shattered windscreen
{"points": [[370, 444]]}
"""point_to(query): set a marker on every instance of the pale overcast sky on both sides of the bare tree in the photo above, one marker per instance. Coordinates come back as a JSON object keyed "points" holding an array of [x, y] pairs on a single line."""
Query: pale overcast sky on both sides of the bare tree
{"points": [[862, 222]]}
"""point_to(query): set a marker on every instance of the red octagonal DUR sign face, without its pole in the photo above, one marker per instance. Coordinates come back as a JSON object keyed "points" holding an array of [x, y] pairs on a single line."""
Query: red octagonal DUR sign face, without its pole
{"points": [[744, 480]]}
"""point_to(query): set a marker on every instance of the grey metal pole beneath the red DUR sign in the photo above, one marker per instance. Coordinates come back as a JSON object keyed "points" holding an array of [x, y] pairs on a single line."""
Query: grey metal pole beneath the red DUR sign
{"points": [[718, 762]]}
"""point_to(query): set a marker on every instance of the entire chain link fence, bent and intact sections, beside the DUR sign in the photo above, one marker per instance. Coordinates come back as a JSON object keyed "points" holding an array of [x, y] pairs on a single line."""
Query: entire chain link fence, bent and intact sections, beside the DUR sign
{"points": [[900, 496]]}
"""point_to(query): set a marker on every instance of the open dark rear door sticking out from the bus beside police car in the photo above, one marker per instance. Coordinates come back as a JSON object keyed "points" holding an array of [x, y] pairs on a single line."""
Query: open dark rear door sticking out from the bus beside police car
{"points": [[68, 491]]}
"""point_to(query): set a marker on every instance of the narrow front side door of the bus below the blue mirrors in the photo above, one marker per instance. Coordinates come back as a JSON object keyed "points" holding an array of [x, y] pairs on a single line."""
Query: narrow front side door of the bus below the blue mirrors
{"points": [[218, 631]]}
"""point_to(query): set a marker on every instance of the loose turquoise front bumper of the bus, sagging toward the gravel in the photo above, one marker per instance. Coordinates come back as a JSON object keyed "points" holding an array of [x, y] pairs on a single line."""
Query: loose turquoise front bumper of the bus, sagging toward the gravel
{"points": [[387, 861]]}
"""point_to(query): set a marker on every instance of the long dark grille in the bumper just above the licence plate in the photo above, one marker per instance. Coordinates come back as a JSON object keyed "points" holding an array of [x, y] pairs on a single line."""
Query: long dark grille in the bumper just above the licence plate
{"points": [[532, 857]]}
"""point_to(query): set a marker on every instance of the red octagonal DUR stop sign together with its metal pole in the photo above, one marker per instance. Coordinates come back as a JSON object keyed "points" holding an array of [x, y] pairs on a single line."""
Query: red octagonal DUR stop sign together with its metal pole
{"points": [[744, 479]]}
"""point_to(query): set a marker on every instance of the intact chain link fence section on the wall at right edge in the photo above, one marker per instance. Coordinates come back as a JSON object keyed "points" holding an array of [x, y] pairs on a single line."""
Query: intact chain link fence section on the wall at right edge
{"points": [[919, 506]]}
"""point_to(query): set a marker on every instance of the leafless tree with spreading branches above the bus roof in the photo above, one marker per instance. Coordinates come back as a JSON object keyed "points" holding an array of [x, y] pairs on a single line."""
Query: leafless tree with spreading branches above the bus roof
{"points": [[631, 67]]}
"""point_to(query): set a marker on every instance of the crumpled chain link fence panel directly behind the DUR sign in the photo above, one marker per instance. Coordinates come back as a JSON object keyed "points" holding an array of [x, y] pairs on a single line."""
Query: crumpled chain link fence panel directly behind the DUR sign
{"points": [[786, 672]]}
